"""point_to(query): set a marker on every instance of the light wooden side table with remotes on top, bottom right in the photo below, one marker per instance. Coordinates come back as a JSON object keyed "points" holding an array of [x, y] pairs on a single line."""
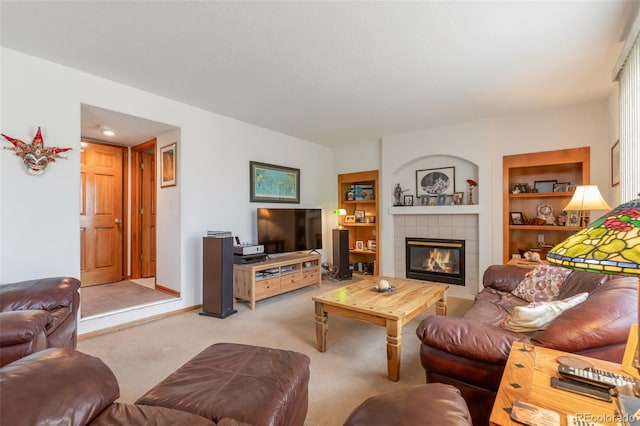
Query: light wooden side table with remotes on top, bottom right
{"points": [[527, 378]]}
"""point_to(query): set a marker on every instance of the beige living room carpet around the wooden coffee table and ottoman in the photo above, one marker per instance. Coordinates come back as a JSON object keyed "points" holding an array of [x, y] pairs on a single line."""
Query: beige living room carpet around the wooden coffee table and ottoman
{"points": [[353, 368]]}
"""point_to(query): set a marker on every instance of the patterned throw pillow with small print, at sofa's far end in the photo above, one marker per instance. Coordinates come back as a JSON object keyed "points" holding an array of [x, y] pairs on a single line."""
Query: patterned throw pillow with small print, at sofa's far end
{"points": [[542, 284]]}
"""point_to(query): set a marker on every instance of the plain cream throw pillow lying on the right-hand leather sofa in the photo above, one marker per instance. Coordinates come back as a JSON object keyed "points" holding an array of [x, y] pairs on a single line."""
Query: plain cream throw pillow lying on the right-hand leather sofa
{"points": [[536, 316]]}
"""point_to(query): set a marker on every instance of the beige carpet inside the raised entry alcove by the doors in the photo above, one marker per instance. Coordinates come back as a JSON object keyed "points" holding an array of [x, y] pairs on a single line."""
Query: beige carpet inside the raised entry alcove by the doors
{"points": [[99, 299]]}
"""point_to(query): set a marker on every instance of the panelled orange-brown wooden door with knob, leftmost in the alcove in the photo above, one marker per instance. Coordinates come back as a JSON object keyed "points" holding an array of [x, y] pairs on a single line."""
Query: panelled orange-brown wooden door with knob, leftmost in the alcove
{"points": [[101, 214]]}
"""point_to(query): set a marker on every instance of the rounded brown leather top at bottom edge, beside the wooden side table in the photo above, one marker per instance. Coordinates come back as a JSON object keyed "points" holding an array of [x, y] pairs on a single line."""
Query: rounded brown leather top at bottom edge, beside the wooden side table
{"points": [[431, 404]]}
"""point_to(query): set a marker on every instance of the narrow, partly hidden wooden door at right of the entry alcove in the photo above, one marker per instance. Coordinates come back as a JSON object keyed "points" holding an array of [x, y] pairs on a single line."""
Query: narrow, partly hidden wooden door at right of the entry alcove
{"points": [[148, 213]]}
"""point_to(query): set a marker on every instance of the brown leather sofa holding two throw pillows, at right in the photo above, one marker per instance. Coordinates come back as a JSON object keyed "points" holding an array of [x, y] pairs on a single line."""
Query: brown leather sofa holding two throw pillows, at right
{"points": [[470, 352]]}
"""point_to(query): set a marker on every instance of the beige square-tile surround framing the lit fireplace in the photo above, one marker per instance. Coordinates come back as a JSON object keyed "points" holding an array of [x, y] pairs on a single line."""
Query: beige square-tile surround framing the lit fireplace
{"points": [[431, 225]]}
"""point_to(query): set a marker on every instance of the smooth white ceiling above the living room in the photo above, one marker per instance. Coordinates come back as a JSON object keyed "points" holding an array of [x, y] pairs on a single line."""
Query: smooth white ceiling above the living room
{"points": [[335, 72]]}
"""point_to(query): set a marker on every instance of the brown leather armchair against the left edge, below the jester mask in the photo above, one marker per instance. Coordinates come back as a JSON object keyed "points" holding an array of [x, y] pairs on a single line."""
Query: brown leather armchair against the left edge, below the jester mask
{"points": [[38, 314]]}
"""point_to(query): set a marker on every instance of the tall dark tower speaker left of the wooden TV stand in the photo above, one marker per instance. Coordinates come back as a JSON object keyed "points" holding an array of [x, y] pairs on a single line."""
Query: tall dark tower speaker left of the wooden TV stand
{"points": [[217, 277]]}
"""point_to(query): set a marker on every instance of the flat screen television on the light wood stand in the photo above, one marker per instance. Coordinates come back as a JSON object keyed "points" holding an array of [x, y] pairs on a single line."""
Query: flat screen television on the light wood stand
{"points": [[288, 230]]}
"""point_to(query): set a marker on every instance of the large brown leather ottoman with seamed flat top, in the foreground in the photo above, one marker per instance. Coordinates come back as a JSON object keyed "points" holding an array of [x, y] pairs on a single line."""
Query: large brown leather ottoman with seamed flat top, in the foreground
{"points": [[254, 385]]}
